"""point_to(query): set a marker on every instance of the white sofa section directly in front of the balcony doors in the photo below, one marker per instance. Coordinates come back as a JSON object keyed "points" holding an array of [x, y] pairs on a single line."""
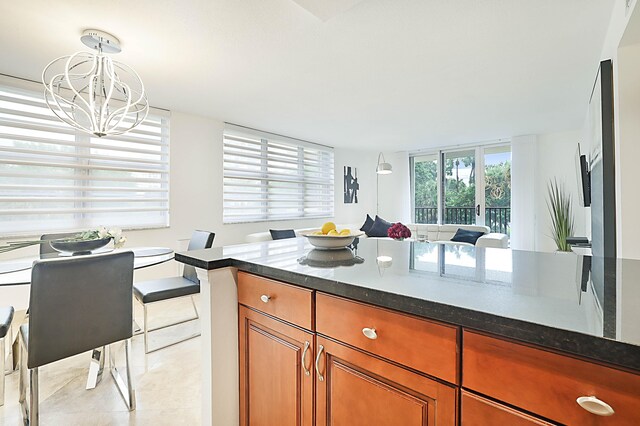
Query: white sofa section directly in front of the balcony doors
{"points": [[443, 234]]}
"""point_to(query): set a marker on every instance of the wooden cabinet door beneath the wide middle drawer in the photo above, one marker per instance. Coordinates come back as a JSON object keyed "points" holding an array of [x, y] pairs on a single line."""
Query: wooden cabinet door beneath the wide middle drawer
{"points": [[357, 389]]}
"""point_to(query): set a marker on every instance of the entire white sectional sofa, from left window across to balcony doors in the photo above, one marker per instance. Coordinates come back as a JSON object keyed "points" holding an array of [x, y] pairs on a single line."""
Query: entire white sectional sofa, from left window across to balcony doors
{"points": [[432, 233]]}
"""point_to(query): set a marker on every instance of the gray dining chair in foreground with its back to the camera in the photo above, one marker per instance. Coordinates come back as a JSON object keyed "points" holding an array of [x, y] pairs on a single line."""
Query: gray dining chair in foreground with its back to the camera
{"points": [[76, 304]]}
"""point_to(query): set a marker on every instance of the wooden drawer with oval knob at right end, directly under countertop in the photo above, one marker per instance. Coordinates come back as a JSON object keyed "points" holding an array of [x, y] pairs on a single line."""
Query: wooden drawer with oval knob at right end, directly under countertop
{"points": [[546, 383]]}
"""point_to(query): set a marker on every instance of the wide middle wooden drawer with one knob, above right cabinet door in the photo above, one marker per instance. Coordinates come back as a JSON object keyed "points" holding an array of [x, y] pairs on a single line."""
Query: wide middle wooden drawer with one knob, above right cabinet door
{"points": [[426, 346]]}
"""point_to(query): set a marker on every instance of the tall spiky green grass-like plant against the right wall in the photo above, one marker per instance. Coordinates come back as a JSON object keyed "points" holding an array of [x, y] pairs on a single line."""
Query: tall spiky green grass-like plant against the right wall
{"points": [[559, 204]]}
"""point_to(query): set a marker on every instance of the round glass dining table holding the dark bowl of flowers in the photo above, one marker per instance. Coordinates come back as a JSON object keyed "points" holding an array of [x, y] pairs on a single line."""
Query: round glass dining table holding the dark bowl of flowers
{"points": [[15, 277]]}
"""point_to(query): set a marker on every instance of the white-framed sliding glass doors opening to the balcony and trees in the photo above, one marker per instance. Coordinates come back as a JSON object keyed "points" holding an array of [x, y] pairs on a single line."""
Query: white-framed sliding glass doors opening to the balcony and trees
{"points": [[464, 186]]}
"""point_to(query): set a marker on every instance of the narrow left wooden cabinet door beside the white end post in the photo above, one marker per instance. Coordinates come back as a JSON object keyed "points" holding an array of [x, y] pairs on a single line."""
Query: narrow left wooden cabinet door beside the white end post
{"points": [[275, 389]]}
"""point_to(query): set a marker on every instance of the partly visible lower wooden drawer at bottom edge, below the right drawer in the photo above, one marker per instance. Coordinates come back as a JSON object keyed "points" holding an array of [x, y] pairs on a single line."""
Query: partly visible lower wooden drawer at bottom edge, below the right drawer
{"points": [[478, 411]]}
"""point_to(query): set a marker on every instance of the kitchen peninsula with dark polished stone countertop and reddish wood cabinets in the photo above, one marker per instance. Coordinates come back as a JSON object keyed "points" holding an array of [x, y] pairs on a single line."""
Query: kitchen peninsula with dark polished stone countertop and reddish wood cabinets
{"points": [[422, 314]]}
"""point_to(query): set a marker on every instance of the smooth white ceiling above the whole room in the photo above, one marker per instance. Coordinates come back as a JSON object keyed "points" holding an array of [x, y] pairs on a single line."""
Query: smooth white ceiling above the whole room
{"points": [[383, 74]]}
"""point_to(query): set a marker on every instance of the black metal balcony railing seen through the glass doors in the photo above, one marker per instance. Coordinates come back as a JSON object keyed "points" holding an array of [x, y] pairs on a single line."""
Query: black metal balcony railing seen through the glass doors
{"points": [[496, 218]]}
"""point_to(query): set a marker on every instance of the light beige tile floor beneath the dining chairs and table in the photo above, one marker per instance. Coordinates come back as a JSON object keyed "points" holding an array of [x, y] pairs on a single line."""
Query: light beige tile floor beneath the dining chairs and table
{"points": [[167, 381]]}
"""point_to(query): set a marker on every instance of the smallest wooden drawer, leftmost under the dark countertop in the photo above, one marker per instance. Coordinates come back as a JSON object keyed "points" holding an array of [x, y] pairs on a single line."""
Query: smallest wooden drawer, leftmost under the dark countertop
{"points": [[283, 301]]}
